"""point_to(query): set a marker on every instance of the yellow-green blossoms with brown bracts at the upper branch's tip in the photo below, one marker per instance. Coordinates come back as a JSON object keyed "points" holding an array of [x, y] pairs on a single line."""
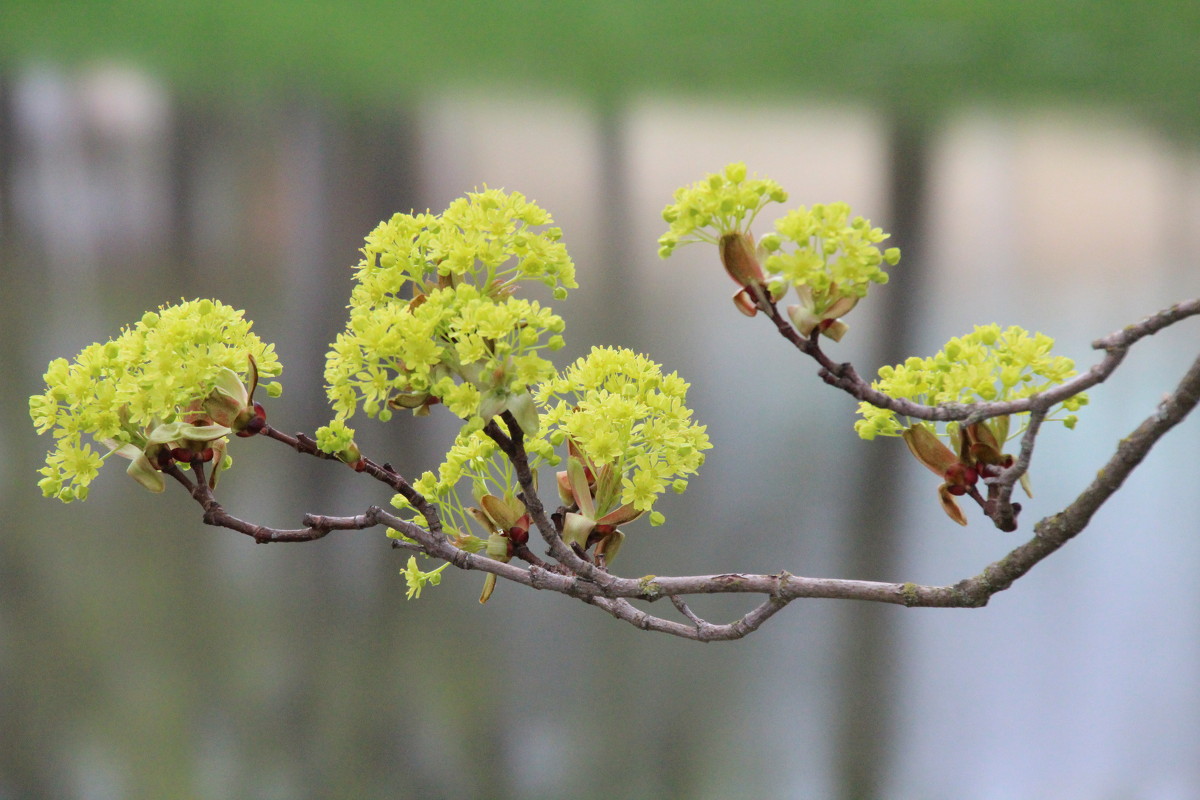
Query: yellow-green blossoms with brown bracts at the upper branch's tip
{"points": [[829, 257]]}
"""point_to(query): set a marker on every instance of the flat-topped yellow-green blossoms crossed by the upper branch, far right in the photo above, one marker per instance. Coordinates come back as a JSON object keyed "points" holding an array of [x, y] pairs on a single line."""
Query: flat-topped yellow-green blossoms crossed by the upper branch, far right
{"points": [[988, 365]]}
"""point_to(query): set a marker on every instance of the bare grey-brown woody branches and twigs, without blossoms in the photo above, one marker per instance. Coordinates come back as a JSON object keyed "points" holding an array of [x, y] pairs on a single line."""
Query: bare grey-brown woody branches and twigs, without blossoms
{"points": [[578, 578]]}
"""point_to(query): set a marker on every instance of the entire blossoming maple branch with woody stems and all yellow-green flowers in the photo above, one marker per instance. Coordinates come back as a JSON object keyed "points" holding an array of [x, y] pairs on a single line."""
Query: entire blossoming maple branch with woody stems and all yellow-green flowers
{"points": [[435, 322]]}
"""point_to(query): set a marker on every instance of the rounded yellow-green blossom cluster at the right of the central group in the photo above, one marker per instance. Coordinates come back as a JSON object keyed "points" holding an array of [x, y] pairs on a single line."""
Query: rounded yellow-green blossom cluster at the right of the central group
{"points": [[629, 436]]}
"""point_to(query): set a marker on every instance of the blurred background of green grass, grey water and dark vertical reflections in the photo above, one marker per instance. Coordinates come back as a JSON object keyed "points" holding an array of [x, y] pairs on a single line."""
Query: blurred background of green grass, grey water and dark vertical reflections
{"points": [[1039, 165]]}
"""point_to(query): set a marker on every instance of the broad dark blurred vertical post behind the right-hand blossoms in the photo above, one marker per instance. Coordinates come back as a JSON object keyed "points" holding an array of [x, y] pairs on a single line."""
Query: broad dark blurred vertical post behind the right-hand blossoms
{"points": [[868, 658]]}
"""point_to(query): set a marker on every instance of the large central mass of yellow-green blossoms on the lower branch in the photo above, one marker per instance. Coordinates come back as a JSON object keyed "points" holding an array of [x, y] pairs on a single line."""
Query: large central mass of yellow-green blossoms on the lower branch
{"points": [[434, 320]]}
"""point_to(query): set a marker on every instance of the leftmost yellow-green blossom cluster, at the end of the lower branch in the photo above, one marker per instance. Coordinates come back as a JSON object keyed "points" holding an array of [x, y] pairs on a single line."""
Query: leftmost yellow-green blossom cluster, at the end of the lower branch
{"points": [[172, 387]]}
